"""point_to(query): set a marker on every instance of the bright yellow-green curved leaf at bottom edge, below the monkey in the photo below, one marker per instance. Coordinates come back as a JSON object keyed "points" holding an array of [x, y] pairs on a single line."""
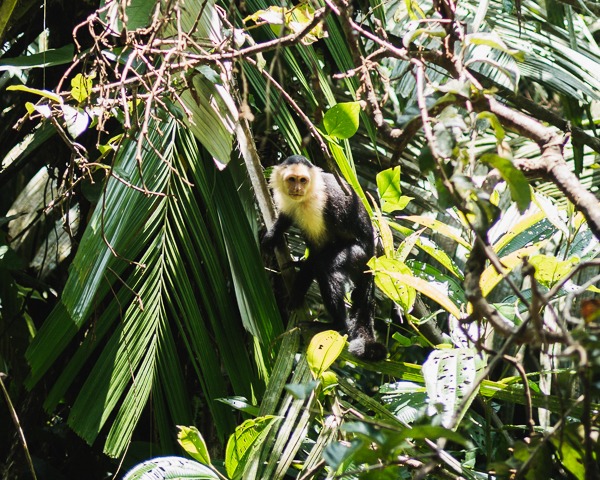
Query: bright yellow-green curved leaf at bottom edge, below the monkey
{"points": [[244, 440]]}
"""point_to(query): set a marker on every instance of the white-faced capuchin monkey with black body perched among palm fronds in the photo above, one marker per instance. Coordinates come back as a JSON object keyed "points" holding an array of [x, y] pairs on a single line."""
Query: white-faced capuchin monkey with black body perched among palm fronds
{"points": [[339, 235]]}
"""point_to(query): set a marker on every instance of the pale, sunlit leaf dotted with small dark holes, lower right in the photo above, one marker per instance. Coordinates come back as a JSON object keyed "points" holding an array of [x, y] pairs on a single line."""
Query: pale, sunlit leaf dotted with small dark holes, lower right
{"points": [[450, 378]]}
